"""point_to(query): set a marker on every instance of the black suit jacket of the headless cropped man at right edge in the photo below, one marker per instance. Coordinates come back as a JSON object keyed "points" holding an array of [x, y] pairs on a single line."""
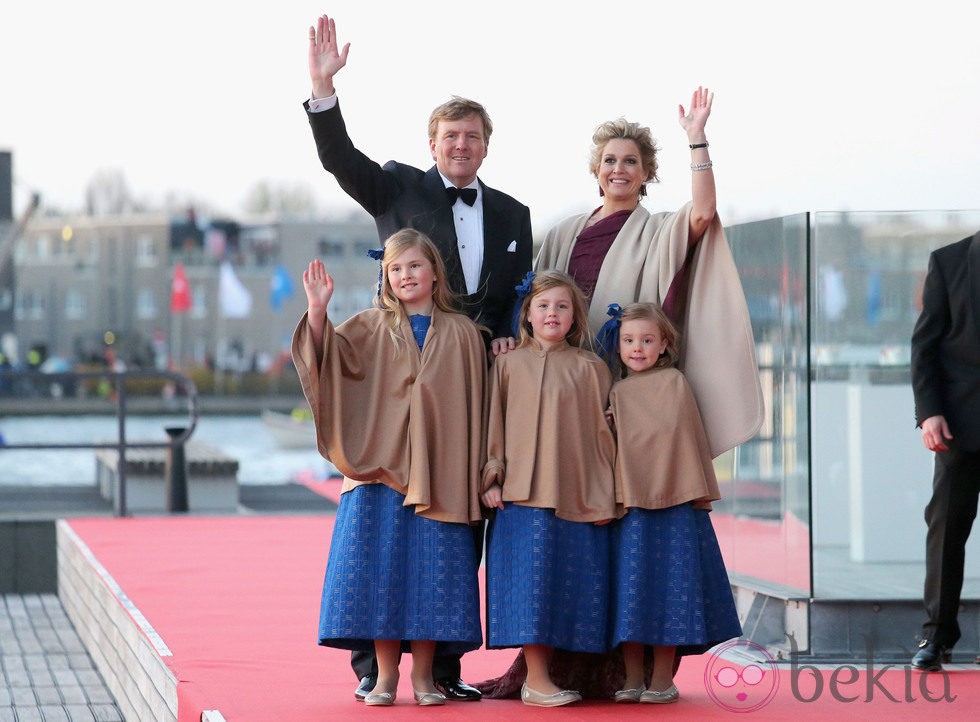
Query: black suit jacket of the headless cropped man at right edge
{"points": [[946, 342]]}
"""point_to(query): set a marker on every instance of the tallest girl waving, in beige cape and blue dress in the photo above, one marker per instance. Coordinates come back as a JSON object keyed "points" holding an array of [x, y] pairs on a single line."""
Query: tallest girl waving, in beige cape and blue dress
{"points": [[397, 395]]}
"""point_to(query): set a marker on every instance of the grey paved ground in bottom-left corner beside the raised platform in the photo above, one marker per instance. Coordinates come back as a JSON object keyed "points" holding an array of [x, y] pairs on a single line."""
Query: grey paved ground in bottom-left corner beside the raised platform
{"points": [[45, 674]]}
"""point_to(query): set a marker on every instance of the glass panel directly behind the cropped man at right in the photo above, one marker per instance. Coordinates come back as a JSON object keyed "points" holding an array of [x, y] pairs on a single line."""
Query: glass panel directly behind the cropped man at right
{"points": [[871, 477]]}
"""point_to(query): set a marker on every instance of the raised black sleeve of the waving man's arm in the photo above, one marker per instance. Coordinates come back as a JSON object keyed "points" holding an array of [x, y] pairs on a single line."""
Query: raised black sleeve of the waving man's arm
{"points": [[360, 177]]}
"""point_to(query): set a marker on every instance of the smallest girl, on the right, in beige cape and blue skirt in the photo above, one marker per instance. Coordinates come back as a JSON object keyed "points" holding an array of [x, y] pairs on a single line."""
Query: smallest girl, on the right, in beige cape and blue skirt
{"points": [[670, 586]]}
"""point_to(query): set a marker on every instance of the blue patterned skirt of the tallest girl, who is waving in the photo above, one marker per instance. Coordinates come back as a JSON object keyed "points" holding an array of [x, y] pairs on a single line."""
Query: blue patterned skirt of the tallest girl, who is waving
{"points": [[392, 574]]}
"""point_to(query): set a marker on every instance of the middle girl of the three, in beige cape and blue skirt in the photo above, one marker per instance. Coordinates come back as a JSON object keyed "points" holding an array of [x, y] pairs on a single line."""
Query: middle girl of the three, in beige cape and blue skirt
{"points": [[549, 478]]}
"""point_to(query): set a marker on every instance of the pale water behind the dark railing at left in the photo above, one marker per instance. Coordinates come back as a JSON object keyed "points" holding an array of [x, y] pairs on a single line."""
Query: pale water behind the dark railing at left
{"points": [[245, 438]]}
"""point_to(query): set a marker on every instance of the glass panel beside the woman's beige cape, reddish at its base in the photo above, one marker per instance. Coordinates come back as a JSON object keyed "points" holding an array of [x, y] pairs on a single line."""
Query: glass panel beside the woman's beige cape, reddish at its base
{"points": [[763, 519]]}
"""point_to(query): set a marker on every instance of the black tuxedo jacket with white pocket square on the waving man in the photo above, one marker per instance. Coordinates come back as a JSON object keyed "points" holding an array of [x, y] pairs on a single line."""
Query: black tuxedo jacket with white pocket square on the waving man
{"points": [[401, 196]]}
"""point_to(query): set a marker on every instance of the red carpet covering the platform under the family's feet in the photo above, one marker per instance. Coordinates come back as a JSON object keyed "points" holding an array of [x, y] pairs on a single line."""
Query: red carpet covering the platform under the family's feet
{"points": [[236, 600]]}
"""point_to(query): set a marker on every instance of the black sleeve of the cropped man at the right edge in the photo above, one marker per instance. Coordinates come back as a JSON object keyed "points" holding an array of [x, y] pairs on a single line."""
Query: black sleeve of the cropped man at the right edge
{"points": [[930, 329]]}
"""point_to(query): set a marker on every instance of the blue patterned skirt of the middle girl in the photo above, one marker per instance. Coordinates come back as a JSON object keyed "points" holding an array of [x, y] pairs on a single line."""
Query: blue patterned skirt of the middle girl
{"points": [[547, 581]]}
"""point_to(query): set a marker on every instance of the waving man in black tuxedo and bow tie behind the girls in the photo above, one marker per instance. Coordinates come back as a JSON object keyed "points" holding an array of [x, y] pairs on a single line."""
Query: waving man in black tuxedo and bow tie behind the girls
{"points": [[483, 235]]}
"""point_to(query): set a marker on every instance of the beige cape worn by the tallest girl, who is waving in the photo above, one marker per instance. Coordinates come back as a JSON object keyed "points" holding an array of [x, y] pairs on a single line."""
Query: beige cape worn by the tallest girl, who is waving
{"points": [[413, 421]]}
